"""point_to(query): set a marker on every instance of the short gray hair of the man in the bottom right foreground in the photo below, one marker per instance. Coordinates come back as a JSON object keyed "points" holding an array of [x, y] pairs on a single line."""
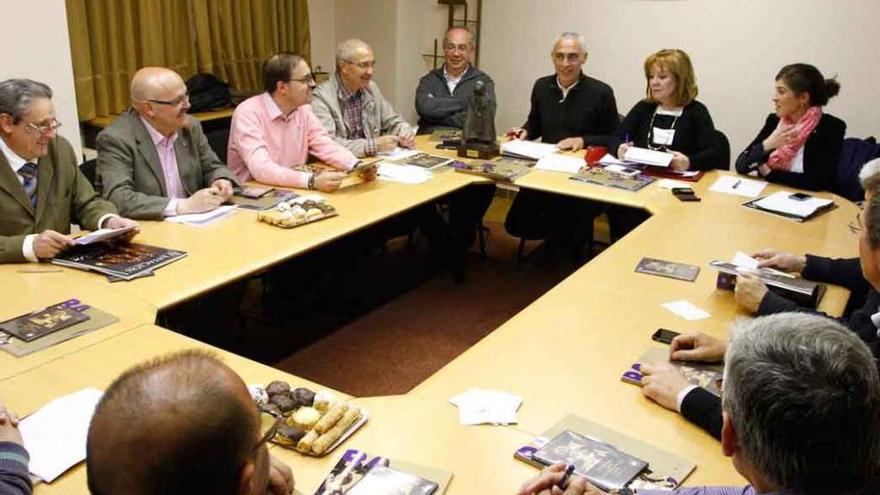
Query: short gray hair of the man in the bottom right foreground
{"points": [[803, 394]]}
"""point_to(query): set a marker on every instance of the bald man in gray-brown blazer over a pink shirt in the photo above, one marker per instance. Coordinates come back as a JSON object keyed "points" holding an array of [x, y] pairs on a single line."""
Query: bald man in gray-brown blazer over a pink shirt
{"points": [[154, 160]]}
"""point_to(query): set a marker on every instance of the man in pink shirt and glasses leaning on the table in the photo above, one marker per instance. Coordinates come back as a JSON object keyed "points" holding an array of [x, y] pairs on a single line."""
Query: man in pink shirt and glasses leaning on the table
{"points": [[276, 130]]}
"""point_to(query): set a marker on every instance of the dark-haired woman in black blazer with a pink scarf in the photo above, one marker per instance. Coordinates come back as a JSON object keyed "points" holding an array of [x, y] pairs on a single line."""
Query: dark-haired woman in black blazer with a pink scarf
{"points": [[799, 145]]}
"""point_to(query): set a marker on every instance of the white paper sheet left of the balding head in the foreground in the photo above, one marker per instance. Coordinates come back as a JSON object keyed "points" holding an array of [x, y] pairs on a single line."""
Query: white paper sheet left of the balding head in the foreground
{"points": [[55, 435]]}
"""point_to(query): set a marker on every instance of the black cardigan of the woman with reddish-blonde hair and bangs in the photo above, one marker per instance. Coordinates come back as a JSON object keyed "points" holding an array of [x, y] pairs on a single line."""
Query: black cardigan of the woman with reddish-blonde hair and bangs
{"points": [[694, 133]]}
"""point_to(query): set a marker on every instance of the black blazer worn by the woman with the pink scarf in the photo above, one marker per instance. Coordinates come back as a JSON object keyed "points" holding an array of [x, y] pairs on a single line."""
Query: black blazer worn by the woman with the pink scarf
{"points": [[821, 154]]}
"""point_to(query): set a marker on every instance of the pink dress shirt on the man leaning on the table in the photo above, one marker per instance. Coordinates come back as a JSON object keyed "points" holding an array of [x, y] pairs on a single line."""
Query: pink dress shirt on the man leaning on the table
{"points": [[264, 145]]}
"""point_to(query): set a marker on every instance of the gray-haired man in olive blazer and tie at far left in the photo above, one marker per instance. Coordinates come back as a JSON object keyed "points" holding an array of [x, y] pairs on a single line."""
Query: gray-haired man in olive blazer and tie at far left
{"points": [[42, 189]]}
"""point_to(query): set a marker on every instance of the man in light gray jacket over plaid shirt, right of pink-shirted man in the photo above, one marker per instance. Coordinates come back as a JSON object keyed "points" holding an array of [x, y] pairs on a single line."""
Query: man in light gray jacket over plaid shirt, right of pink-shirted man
{"points": [[351, 107]]}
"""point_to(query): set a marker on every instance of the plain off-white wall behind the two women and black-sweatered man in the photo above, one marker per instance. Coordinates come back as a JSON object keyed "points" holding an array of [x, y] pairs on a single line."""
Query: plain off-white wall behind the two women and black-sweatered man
{"points": [[737, 46]]}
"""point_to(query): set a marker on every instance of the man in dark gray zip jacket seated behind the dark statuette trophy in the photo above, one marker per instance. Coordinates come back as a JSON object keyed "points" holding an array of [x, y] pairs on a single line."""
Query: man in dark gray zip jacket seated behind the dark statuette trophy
{"points": [[442, 95]]}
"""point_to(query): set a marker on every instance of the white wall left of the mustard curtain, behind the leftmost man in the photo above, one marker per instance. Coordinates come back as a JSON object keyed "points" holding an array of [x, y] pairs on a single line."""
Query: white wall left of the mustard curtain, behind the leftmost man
{"points": [[40, 50]]}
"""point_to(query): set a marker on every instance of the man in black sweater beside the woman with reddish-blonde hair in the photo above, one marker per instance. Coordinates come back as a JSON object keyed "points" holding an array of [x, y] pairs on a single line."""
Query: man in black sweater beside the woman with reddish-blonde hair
{"points": [[571, 110]]}
